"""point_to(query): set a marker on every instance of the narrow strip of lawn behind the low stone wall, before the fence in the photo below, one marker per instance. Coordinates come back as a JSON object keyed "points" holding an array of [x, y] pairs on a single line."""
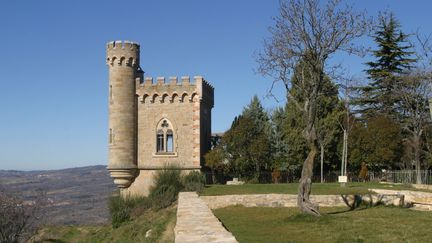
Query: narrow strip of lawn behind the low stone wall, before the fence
{"points": [[291, 188]]}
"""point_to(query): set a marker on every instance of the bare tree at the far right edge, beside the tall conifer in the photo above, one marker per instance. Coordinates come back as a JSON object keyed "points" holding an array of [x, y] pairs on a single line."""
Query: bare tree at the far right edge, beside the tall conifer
{"points": [[415, 95]]}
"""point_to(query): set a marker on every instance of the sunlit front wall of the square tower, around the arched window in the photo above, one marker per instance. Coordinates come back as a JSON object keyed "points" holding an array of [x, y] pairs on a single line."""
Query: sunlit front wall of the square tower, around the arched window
{"points": [[179, 111]]}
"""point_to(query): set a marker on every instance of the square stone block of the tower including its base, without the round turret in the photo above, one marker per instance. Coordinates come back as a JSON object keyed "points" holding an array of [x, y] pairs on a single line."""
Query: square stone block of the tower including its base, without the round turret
{"points": [[182, 105]]}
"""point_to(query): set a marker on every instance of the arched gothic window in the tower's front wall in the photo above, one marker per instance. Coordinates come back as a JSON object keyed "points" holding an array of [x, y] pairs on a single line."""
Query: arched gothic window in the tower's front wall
{"points": [[164, 137]]}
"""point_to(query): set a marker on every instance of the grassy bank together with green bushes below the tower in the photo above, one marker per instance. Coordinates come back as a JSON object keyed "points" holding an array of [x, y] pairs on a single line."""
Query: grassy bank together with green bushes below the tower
{"points": [[133, 217]]}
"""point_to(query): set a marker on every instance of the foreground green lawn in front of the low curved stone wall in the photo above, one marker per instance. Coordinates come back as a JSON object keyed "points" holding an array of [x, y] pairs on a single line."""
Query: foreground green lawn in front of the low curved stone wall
{"points": [[376, 224]]}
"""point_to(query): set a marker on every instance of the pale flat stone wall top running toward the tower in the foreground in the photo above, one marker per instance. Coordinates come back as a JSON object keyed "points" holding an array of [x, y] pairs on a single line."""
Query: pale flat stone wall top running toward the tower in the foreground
{"points": [[196, 222]]}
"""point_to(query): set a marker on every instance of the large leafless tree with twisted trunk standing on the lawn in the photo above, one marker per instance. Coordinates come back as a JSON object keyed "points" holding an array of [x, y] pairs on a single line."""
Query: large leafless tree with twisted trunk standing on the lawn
{"points": [[311, 32]]}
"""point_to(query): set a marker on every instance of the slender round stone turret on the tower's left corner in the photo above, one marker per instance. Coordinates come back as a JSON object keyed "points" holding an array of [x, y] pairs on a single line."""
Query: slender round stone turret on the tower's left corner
{"points": [[123, 64]]}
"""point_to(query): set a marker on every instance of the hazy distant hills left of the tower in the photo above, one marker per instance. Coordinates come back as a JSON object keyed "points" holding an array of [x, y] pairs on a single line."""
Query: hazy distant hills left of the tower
{"points": [[77, 195]]}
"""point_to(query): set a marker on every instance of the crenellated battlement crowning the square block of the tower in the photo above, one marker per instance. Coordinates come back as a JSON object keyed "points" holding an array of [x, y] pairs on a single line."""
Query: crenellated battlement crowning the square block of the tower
{"points": [[173, 89]]}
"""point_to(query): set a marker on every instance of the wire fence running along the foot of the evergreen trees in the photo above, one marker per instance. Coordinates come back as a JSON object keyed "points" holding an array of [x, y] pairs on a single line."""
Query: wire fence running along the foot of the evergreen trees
{"points": [[400, 176]]}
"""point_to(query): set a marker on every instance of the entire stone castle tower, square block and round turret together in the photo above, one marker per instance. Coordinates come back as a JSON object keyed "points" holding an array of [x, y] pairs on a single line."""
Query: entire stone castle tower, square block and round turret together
{"points": [[153, 125]]}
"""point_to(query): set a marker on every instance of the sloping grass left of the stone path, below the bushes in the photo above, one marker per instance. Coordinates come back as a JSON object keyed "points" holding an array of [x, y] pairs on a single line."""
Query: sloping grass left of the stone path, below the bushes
{"points": [[161, 222]]}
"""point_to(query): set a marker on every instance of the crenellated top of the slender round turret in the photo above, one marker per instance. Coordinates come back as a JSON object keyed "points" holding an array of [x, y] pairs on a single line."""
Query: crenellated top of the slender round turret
{"points": [[121, 53]]}
